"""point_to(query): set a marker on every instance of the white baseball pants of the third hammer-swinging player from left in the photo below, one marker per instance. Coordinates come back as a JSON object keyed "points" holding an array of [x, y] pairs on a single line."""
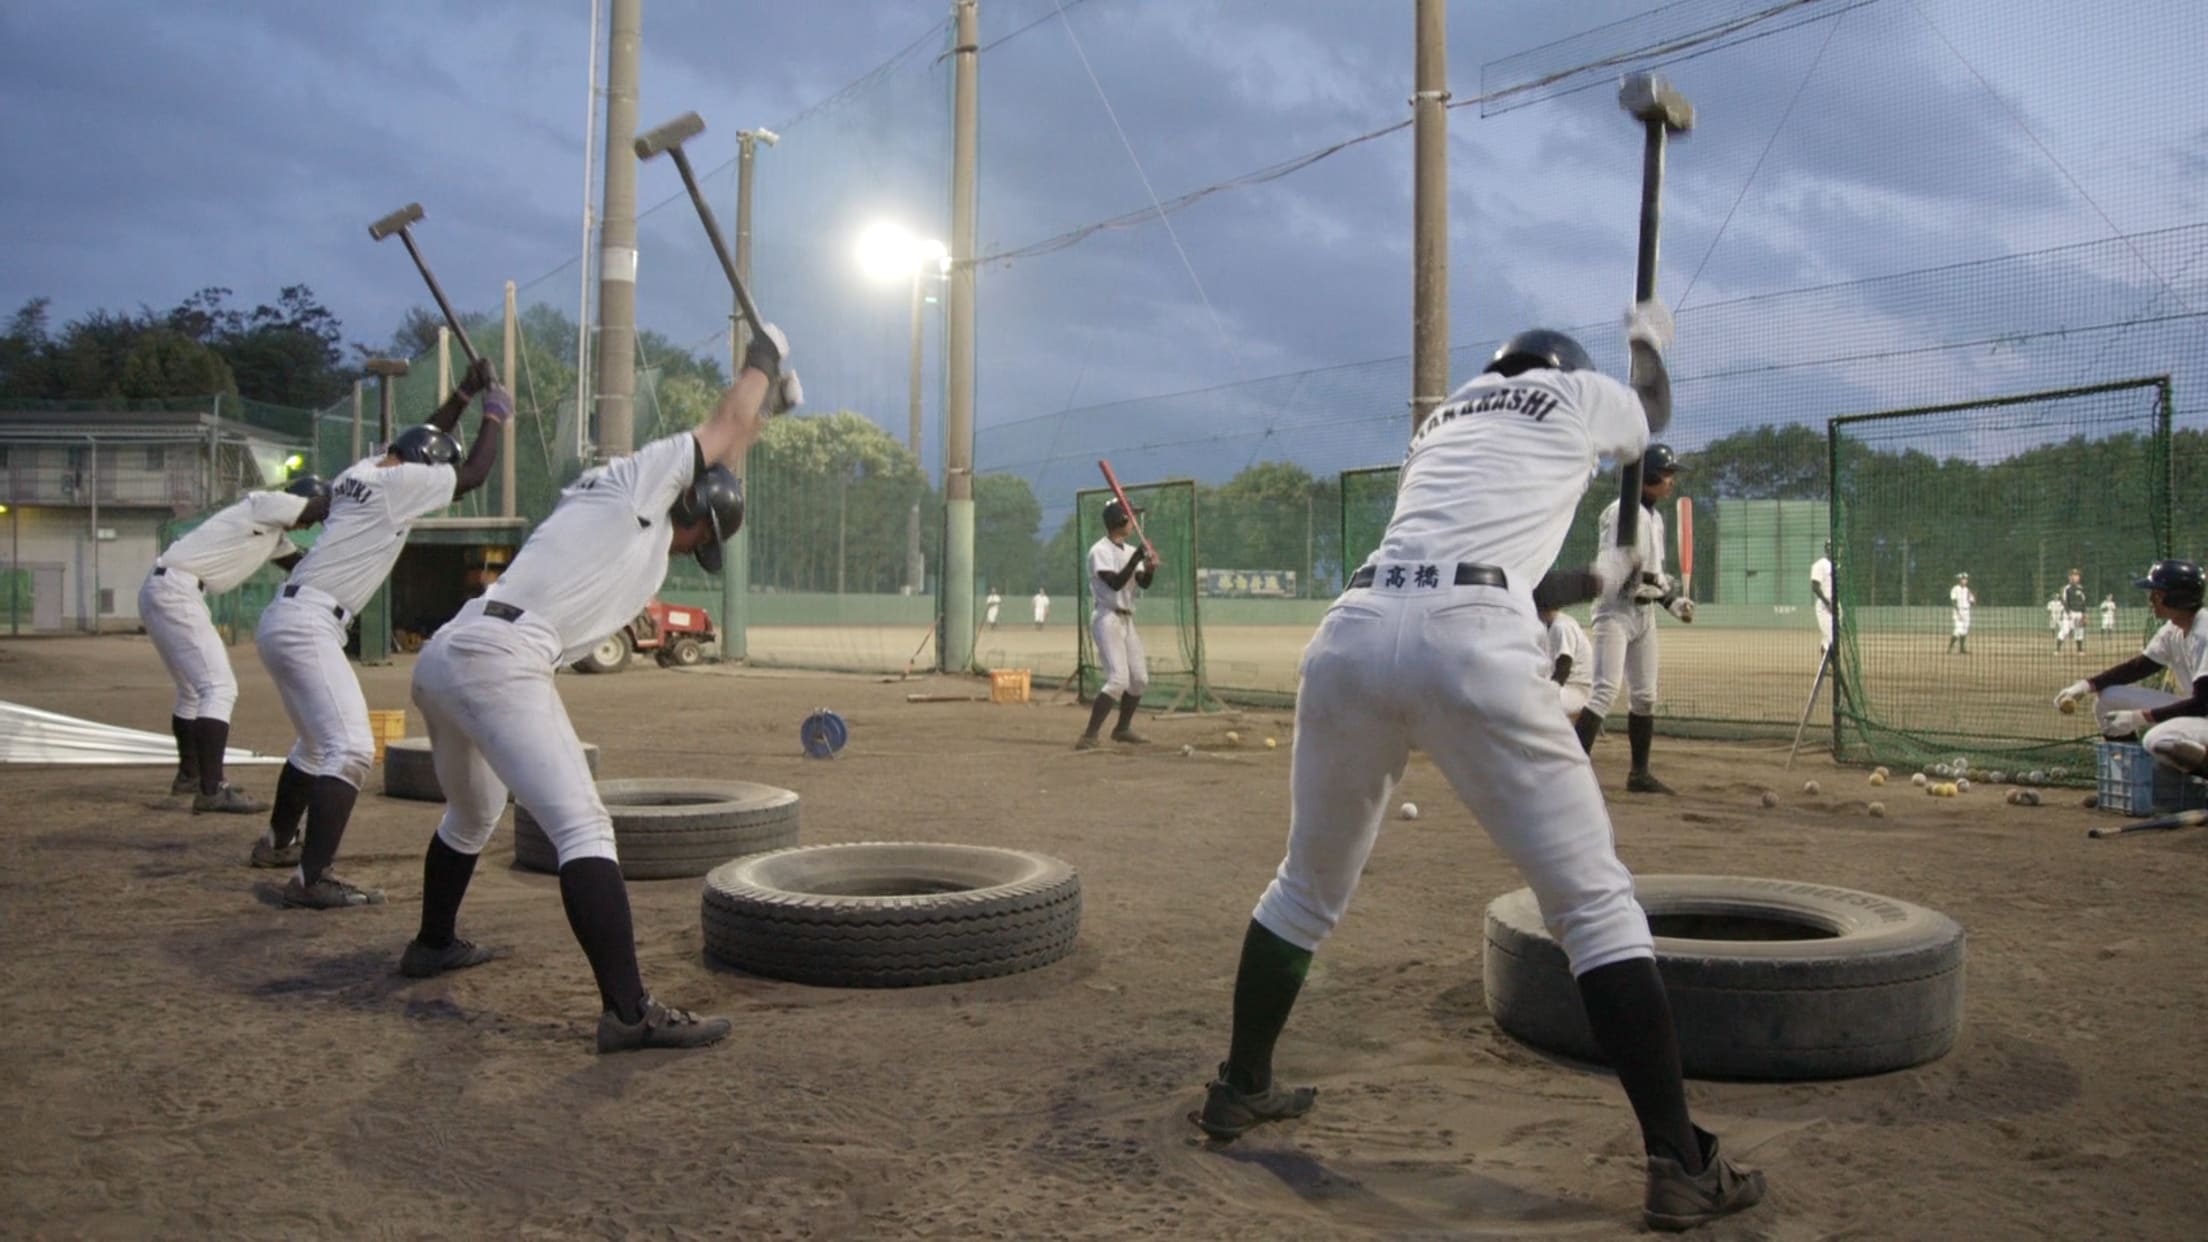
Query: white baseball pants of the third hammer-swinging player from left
{"points": [[496, 724]]}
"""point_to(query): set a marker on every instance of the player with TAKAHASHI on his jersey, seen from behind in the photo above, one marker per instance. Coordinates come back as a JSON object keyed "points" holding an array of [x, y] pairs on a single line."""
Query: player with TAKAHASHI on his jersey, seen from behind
{"points": [[1436, 646]]}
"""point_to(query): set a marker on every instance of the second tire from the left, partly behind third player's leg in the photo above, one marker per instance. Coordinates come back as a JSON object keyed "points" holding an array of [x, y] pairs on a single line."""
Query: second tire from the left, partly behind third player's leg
{"points": [[719, 821]]}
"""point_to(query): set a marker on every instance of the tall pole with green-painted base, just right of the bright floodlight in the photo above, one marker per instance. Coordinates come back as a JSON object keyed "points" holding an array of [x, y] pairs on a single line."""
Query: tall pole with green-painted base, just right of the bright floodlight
{"points": [[959, 410]]}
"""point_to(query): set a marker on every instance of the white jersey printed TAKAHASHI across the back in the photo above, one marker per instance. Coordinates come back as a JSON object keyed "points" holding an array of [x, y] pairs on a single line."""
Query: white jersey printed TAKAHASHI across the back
{"points": [[1485, 470]]}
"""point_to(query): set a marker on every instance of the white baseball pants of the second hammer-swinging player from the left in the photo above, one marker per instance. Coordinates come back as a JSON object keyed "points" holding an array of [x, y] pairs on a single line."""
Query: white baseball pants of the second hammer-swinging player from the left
{"points": [[301, 642]]}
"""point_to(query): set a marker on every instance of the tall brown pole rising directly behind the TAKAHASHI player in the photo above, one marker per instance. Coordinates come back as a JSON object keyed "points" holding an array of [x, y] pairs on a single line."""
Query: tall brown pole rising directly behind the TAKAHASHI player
{"points": [[1430, 215]]}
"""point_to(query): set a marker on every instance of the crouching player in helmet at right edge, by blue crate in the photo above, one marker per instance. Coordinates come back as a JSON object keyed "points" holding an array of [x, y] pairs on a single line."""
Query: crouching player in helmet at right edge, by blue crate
{"points": [[2174, 728]]}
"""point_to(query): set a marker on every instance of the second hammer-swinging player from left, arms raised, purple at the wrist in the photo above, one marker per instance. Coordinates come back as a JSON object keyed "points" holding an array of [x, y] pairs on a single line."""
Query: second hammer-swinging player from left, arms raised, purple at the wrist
{"points": [[301, 633]]}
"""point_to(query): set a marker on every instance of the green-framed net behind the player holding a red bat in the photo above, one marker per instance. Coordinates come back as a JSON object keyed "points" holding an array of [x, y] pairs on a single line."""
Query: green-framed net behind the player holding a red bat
{"points": [[1167, 615]]}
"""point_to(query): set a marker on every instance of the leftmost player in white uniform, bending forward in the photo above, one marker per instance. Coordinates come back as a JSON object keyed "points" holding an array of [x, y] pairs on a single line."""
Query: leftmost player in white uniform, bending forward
{"points": [[217, 556]]}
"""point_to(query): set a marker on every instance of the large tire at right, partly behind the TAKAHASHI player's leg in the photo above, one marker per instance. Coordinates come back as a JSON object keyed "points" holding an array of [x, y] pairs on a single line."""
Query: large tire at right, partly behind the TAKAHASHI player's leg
{"points": [[1885, 993]]}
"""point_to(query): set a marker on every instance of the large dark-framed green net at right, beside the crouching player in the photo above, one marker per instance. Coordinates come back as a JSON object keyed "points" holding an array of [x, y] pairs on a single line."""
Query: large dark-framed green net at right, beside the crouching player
{"points": [[1957, 534]]}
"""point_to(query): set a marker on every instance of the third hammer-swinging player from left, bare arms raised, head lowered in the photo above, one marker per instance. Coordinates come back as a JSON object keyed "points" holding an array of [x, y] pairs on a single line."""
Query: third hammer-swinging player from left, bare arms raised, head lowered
{"points": [[496, 717]]}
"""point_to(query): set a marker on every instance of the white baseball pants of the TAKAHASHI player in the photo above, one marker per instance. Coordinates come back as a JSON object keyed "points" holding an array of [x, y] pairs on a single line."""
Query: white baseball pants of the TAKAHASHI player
{"points": [[1461, 675]]}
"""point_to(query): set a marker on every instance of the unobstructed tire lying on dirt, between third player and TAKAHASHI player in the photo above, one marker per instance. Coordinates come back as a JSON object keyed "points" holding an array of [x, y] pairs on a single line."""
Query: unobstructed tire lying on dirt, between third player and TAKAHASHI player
{"points": [[891, 914]]}
